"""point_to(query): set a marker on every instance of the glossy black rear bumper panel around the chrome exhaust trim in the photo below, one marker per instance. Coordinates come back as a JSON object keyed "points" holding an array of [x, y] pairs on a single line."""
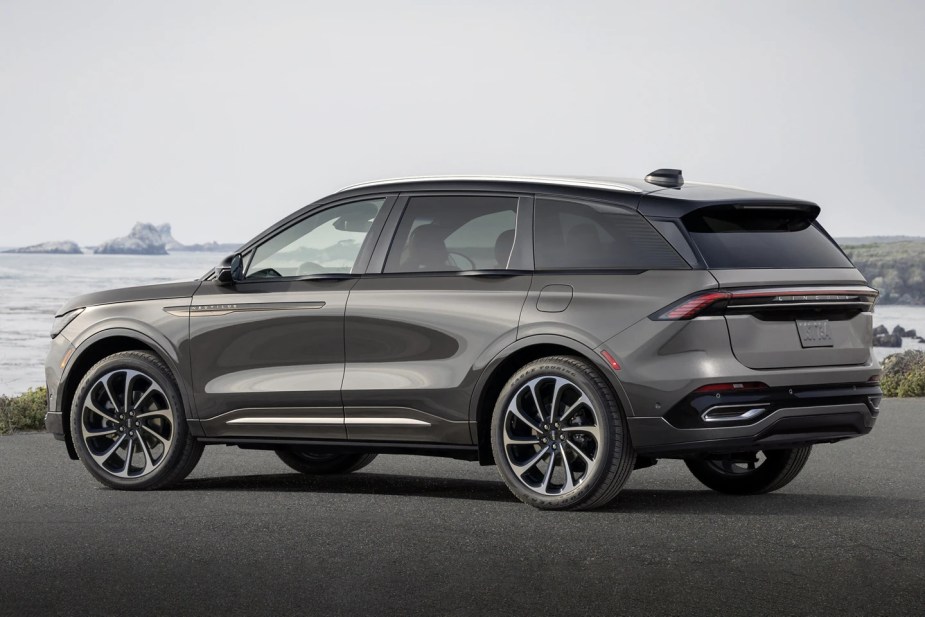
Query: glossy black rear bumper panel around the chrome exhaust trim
{"points": [[724, 407]]}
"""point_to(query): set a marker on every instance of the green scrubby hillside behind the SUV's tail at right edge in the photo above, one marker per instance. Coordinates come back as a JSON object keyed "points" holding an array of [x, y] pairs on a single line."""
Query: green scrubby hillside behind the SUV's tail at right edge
{"points": [[896, 268]]}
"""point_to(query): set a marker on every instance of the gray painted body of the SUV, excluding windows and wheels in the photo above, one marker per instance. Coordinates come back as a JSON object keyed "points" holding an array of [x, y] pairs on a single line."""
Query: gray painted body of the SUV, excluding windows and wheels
{"points": [[404, 359]]}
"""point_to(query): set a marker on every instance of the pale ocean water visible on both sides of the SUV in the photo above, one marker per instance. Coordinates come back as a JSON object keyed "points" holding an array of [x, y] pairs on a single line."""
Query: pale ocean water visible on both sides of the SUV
{"points": [[33, 287]]}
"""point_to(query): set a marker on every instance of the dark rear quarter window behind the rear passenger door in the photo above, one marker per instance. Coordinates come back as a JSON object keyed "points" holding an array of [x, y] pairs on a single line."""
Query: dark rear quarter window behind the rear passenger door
{"points": [[584, 235]]}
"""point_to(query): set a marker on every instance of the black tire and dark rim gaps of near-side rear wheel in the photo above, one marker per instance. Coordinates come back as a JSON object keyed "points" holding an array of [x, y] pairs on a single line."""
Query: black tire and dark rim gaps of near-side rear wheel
{"points": [[613, 454]]}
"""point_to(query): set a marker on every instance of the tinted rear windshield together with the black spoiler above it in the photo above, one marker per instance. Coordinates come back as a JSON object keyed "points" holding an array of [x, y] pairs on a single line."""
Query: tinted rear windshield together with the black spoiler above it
{"points": [[736, 237]]}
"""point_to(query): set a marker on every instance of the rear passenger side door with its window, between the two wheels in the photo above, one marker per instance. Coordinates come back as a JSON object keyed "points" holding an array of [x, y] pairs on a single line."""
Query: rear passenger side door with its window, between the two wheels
{"points": [[442, 297]]}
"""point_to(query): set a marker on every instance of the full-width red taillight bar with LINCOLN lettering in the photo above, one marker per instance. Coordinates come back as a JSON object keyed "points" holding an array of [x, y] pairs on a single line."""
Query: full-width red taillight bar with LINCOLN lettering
{"points": [[699, 303]]}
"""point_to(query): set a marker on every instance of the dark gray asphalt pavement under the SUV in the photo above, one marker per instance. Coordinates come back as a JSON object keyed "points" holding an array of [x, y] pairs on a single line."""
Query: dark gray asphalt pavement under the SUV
{"points": [[412, 535]]}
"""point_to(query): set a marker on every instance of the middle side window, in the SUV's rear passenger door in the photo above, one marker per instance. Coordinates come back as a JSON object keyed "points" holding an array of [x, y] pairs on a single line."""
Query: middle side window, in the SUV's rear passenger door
{"points": [[451, 233]]}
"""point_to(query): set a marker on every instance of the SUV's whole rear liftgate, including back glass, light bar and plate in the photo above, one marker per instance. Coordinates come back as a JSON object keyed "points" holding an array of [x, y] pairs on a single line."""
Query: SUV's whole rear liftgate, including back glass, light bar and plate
{"points": [[797, 299]]}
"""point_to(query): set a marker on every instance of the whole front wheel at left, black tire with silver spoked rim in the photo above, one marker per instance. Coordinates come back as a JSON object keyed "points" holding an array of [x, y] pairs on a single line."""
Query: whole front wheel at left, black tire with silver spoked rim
{"points": [[129, 426]]}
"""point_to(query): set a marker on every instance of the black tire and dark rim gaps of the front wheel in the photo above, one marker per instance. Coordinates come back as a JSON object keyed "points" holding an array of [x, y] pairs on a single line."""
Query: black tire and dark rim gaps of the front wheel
{"points": [[176, 460]]}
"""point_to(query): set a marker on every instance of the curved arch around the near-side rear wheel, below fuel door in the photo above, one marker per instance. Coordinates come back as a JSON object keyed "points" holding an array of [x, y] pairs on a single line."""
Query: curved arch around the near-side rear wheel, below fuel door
{"points": [[509, 361]]}
